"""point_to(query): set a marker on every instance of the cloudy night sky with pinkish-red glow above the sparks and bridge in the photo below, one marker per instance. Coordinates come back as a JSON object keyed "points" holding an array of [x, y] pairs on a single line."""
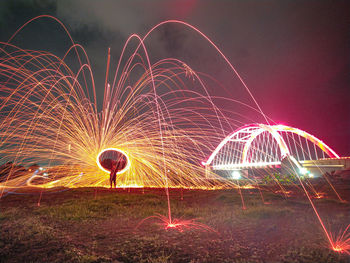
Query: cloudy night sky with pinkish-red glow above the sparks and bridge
{"points": [[293, 55]]}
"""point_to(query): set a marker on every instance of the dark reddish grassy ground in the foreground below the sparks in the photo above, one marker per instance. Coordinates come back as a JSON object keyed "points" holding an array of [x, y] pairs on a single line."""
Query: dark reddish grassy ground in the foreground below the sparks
{"points": [[102, 225]]}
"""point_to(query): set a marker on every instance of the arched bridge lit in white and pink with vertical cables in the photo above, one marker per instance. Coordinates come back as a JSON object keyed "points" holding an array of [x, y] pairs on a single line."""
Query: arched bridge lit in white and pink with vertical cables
{"points": [[261, 145]]}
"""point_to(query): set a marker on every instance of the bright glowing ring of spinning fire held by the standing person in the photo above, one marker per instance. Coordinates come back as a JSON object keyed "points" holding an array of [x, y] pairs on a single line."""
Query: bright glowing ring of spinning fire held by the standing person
{"points": [[105, 158]]}
